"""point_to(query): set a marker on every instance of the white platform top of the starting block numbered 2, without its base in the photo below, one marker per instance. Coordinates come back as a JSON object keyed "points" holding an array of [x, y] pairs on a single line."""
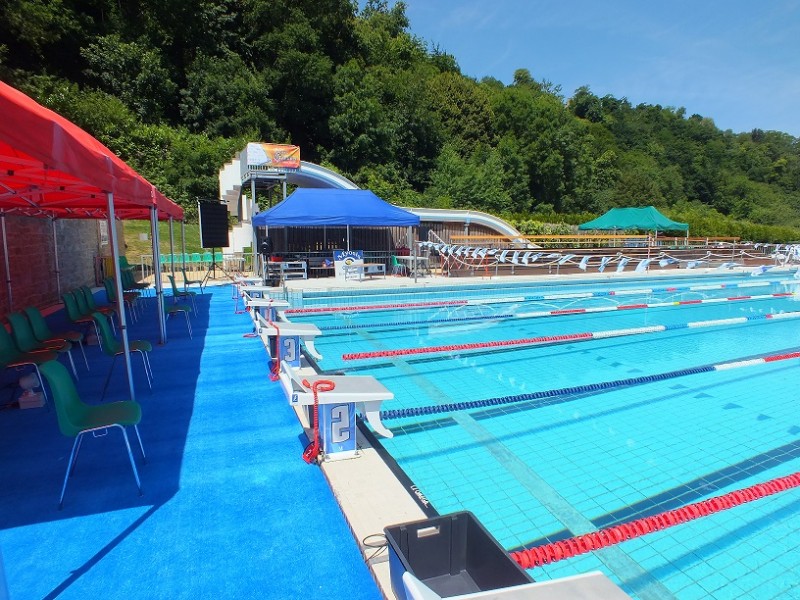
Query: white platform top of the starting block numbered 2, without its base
{"points": [[364, 390]]}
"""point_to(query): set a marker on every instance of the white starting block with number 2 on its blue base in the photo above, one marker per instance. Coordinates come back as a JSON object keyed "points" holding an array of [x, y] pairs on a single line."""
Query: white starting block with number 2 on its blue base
{"points": [[337, 408]]}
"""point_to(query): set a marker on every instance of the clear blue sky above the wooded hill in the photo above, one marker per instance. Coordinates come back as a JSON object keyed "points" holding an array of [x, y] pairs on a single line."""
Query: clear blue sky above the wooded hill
{"points": [[736, 62]]}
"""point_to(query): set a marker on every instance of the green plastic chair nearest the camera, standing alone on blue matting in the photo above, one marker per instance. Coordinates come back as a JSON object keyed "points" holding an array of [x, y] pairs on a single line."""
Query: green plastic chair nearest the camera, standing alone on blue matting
{"points": [[76, 418]]}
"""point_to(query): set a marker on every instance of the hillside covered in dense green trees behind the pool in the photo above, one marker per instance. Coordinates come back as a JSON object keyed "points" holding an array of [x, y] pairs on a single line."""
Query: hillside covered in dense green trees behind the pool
{"points": [[177, 87]]}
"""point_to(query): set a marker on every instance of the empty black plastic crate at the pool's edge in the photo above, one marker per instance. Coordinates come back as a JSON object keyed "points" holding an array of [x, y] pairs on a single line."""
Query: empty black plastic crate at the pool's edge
{"points": [[451, 554]]}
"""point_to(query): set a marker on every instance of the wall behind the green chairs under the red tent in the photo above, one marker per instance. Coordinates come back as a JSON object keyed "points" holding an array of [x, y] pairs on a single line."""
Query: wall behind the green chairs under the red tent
{"points": [[31, 253]]}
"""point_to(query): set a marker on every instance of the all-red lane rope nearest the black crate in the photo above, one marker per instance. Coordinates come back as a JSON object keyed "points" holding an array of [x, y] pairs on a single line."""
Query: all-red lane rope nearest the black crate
{"points": [[541, 555]]}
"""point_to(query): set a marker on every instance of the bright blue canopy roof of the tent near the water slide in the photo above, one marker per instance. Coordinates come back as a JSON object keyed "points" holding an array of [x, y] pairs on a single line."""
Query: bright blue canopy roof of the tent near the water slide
{"points": [[315, 207]]}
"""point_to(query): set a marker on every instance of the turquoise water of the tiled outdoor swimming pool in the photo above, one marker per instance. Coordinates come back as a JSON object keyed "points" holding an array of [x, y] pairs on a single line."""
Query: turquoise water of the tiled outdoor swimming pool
{"points": [[556, 465]]}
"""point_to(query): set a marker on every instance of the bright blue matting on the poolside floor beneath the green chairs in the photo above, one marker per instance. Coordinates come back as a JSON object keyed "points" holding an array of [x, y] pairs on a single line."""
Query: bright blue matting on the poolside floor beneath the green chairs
{"points": [[229, 510]]}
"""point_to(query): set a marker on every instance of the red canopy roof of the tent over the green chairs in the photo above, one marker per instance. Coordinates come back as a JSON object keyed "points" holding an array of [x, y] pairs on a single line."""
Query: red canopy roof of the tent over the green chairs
{"points": [[51, 167]]}
